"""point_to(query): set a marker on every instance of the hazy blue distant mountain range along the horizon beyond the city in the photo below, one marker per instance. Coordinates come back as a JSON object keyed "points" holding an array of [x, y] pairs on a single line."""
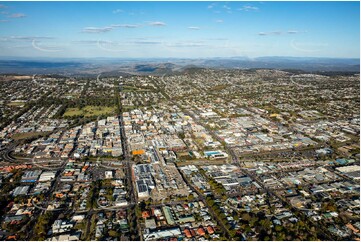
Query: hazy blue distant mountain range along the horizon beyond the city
{"points": [[160, 66]]}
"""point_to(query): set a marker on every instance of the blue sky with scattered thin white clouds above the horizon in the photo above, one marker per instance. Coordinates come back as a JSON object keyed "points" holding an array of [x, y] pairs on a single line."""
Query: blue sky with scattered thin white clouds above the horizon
{"points": [[179, 29]]}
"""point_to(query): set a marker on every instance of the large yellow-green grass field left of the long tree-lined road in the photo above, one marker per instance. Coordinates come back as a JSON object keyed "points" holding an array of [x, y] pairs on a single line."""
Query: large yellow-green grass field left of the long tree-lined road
{"points": [[89, 111]]}
